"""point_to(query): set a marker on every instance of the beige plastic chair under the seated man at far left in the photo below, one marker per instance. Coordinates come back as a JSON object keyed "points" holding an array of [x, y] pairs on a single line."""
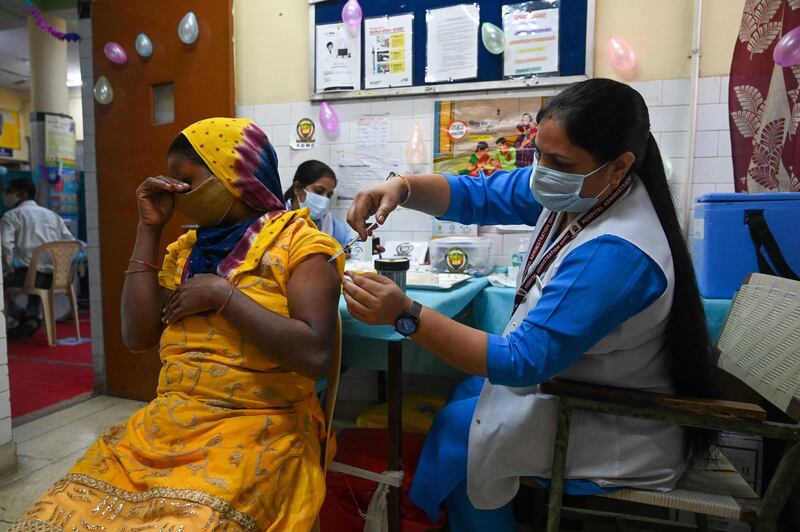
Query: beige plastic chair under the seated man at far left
{"points": [[61, 255]]}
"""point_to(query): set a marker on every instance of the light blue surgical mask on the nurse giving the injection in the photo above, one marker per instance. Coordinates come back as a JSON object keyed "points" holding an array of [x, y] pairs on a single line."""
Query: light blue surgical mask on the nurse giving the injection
{"points": [[561, 191]]}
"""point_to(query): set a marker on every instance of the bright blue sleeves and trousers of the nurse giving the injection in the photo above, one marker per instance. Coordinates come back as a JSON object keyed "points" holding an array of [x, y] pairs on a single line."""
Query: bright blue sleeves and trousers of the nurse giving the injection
{"points": [[599, 285]]}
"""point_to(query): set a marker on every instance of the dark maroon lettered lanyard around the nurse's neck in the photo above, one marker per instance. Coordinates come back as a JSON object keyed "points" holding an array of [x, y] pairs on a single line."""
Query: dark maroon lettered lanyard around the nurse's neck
{"points": [[529, 277]]}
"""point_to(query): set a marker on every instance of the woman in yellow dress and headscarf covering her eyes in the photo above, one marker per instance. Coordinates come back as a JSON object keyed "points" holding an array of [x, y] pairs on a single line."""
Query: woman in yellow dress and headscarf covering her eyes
{"points": [[245, 309]]}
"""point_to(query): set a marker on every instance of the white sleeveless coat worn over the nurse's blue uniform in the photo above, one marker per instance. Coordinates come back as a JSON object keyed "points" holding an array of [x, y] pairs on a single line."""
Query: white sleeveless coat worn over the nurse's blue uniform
{"points": [[513, 429]]}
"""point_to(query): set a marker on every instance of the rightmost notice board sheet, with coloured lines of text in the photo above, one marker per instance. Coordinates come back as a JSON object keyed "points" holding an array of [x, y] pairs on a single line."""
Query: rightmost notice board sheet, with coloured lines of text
{"points": [[531, 30]]}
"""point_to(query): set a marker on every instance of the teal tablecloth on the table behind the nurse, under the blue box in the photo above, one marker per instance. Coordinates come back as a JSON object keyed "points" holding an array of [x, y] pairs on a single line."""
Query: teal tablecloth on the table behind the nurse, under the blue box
{"points": [[492, 309]]}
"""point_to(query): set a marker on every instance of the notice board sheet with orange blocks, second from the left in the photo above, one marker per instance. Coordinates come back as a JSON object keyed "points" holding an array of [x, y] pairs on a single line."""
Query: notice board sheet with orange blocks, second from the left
{"points": [[387, 58]]}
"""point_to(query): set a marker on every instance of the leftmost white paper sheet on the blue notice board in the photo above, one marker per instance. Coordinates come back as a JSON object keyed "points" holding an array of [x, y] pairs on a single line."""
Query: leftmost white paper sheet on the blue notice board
{"points": [[338, 58]]}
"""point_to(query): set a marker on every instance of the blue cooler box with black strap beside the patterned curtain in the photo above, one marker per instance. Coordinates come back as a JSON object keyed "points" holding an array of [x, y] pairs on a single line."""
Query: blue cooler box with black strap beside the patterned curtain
{"points": [[723, 247]]}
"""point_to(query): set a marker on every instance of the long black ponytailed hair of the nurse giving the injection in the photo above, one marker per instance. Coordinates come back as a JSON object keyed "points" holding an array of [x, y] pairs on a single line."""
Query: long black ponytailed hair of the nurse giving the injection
{"points": [[608, 118]]}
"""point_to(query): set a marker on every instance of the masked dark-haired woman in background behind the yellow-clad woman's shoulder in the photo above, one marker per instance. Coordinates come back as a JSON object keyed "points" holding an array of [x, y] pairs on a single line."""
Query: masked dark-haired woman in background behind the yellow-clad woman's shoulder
{"points": [[313, 187]]}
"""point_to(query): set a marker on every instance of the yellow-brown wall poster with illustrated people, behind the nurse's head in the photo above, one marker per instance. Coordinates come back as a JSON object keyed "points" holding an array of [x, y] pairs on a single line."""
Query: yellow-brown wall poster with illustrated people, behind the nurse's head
{"points": [[484, 136]]}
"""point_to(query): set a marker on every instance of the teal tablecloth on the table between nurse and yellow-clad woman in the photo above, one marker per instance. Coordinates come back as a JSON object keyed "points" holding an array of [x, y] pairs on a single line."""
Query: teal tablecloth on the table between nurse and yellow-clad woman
{"points": [[364, 346]]}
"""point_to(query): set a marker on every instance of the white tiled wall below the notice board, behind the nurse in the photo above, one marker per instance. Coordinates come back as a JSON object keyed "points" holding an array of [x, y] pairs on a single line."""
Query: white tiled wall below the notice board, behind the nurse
{"points": [[668, 101]]}
